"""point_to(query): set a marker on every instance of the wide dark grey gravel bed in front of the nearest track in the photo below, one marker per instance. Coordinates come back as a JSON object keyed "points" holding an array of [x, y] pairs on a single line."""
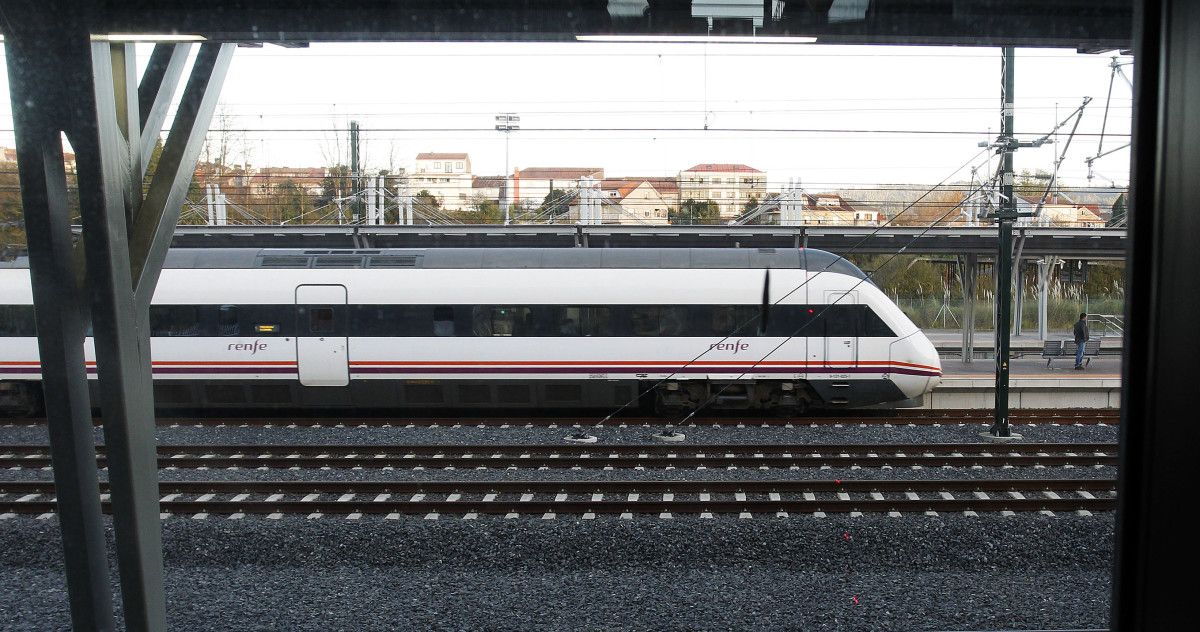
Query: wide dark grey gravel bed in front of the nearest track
{"points": [[869, 573]]}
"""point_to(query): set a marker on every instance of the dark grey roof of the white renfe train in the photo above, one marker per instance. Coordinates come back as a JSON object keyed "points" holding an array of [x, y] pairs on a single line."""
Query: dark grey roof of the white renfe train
{"points": [[503, 258]]}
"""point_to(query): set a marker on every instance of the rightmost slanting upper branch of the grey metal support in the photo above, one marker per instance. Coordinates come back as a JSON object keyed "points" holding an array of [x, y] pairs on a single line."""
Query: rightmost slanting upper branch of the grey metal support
{"points": [[157, 218]]}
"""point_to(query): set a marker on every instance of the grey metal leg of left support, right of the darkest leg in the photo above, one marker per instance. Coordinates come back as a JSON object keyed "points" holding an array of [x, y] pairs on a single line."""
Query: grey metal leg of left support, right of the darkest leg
{"points": [[123, 357]]}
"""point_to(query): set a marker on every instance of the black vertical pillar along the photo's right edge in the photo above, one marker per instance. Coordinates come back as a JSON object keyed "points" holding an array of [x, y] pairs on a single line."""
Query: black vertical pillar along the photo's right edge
{"points": [[1160, 470]]}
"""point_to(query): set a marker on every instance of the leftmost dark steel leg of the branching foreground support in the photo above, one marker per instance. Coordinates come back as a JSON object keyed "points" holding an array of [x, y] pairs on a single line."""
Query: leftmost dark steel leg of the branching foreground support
{"points": [[41, 112]]}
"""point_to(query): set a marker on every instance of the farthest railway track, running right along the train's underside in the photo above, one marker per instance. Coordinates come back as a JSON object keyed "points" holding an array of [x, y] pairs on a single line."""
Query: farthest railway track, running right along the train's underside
{"points": [[859, 418]]}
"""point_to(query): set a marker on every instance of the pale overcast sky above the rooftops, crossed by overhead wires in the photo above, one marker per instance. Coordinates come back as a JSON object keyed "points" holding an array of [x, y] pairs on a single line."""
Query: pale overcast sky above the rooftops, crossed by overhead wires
{"points": [[829, 116]]}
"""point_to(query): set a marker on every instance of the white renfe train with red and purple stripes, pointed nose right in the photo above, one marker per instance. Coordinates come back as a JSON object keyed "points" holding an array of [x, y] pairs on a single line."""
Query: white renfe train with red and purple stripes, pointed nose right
{"points": [[667, 330]]}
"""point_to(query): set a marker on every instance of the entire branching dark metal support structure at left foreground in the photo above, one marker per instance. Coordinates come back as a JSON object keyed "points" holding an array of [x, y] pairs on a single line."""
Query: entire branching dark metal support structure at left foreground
{"points": [[62, 82]]}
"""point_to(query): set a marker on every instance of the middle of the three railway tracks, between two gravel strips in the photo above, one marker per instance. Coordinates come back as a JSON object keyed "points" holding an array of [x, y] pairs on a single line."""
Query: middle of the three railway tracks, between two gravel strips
{"points": [[621, 456]]}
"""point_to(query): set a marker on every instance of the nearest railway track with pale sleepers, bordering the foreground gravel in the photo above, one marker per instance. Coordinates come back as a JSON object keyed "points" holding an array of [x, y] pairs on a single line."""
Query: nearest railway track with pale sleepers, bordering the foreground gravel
{"points": [[589, 499]]}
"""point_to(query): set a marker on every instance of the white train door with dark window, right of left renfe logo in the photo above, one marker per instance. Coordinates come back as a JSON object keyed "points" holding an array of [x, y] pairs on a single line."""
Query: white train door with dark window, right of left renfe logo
{"points": [[321, 336]]}
